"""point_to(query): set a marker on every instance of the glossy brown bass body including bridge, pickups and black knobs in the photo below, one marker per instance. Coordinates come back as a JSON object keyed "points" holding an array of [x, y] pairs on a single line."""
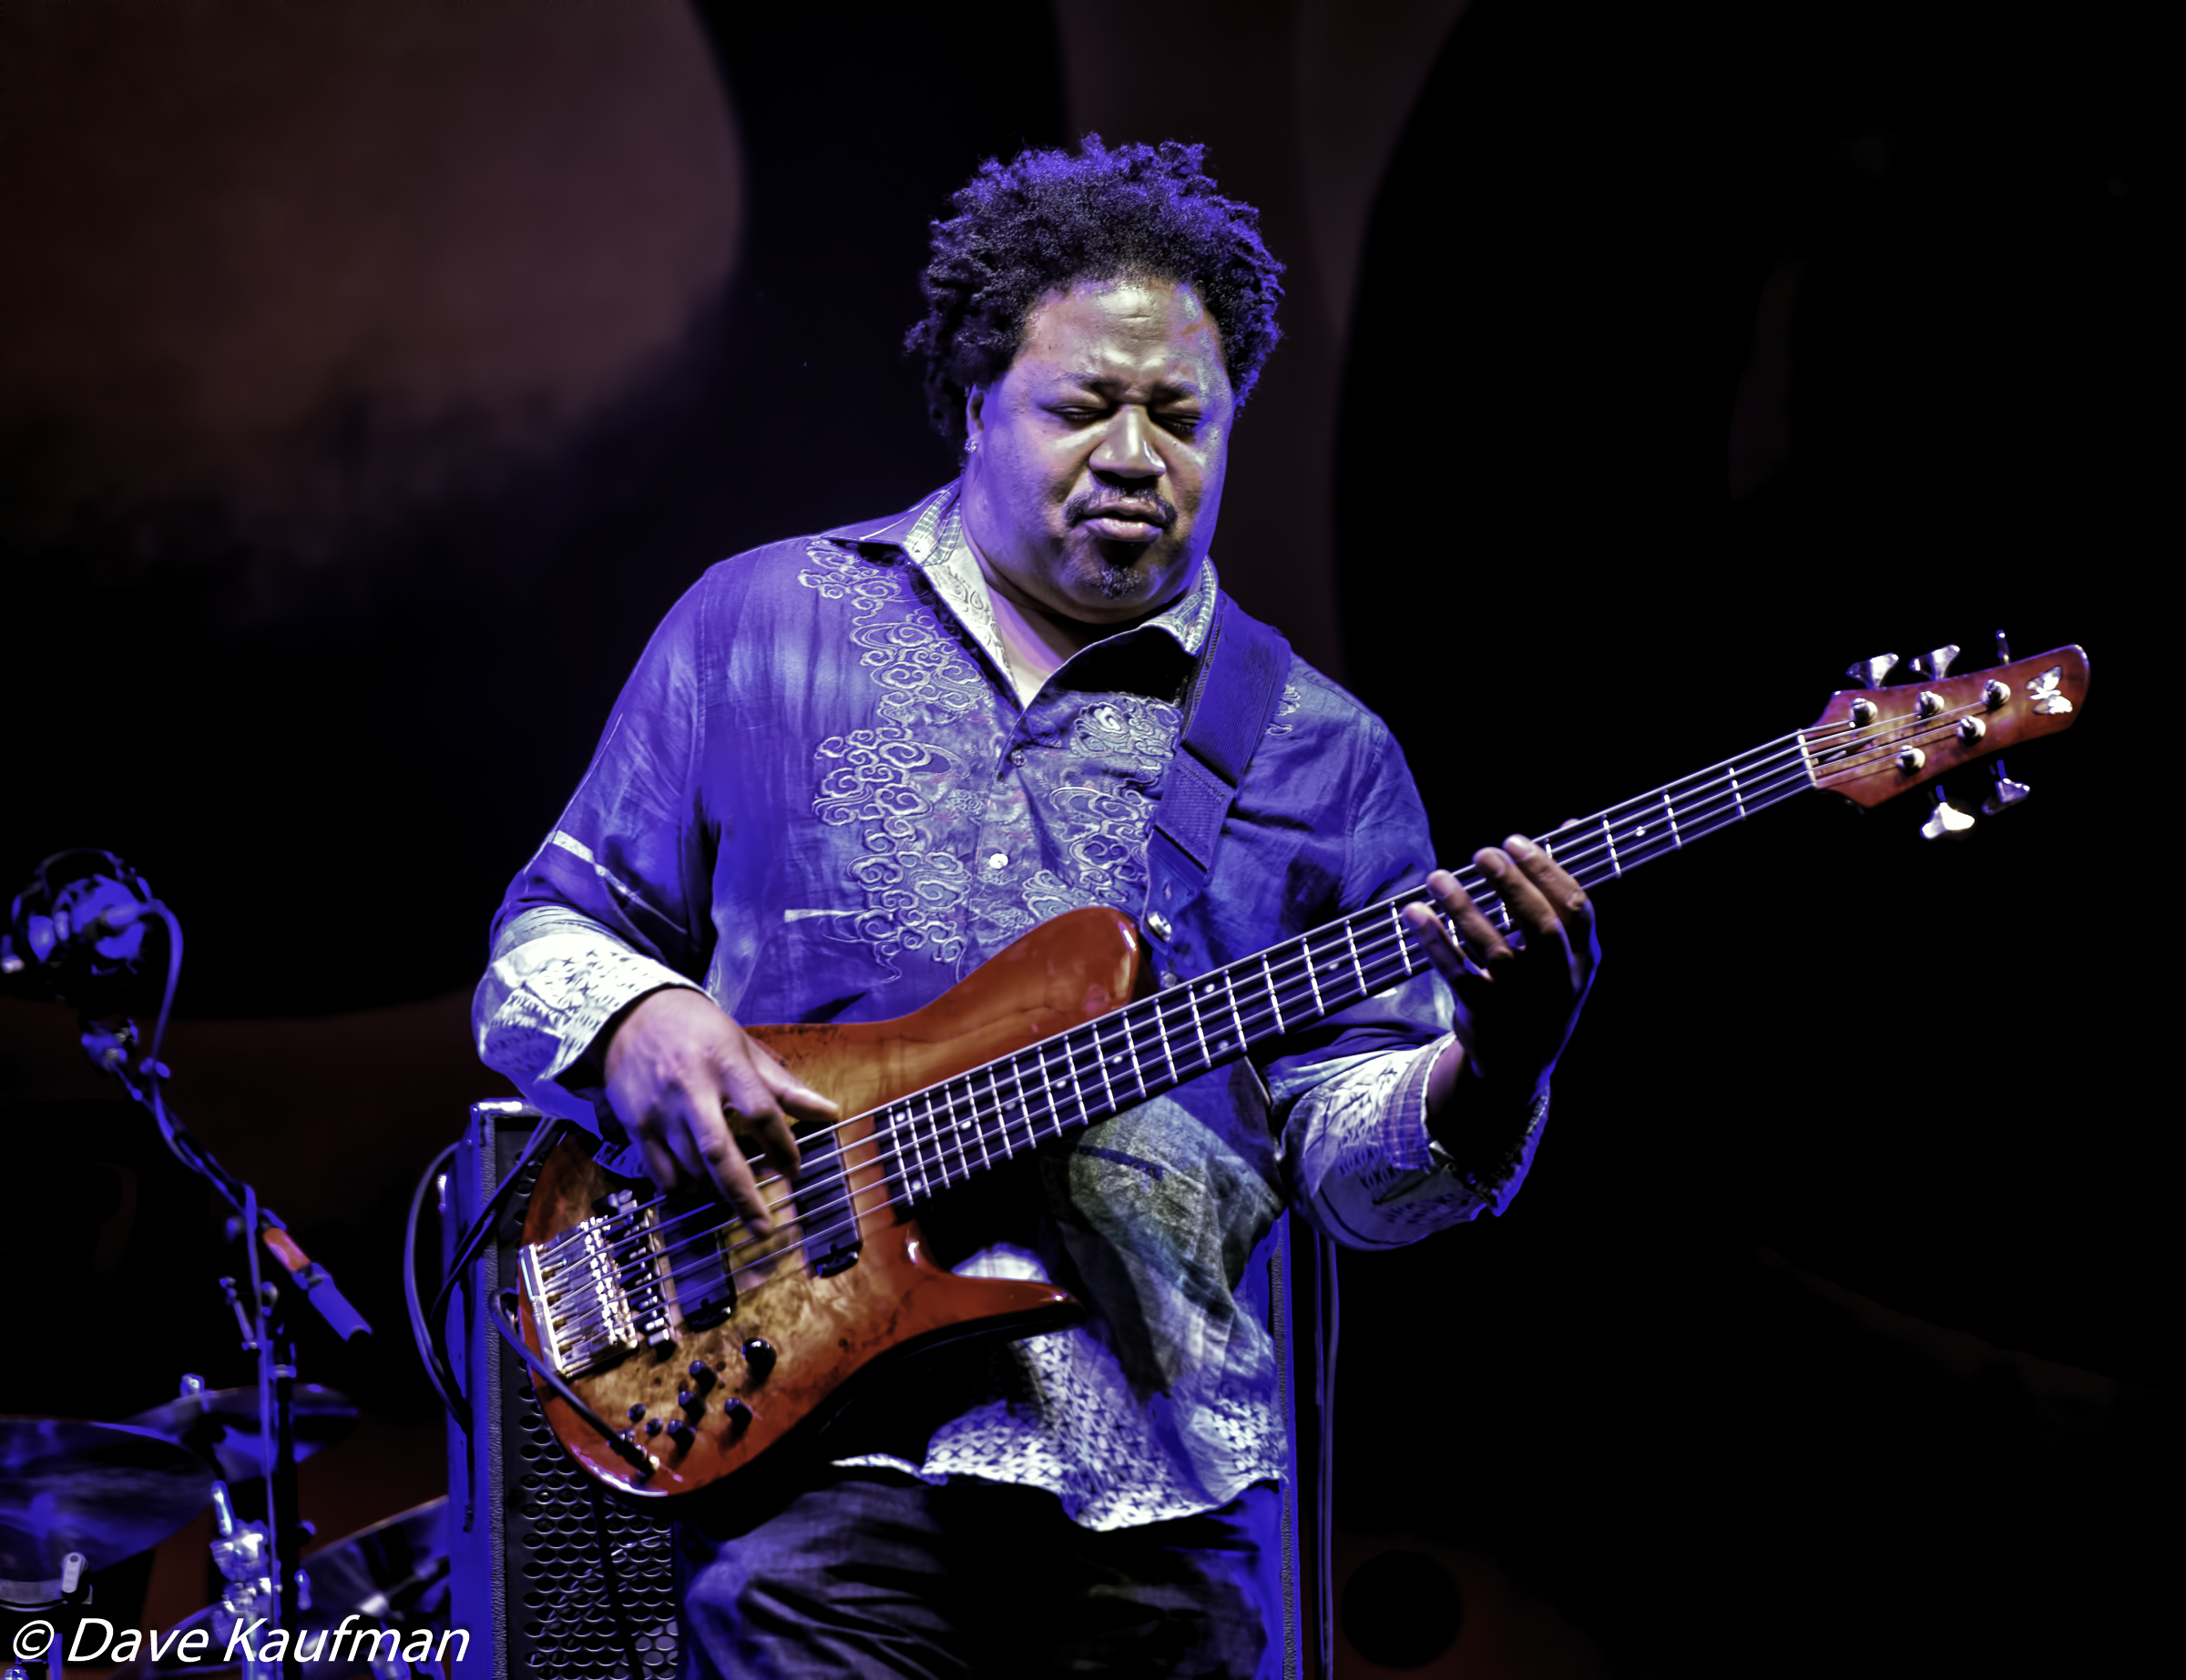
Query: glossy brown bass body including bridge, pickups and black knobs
{"points": [[709, 1345]]}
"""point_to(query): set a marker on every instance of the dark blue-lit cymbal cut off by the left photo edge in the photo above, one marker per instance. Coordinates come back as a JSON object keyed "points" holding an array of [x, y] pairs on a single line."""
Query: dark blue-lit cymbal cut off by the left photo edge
{"points": [[106, 1491]]}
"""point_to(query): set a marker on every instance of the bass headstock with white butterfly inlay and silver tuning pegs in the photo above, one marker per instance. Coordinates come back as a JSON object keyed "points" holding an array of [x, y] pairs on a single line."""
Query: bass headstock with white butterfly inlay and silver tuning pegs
{"points": [[1877, 744]]}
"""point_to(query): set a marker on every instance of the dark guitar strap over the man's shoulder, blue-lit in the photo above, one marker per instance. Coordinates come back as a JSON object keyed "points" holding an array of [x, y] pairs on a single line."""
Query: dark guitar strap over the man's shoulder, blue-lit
{"points": [[1227, 711]]}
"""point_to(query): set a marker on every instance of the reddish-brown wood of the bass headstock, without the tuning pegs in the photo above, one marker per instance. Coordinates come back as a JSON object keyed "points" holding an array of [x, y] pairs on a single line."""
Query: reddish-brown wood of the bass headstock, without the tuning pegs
{"points": [[1877, 777]]}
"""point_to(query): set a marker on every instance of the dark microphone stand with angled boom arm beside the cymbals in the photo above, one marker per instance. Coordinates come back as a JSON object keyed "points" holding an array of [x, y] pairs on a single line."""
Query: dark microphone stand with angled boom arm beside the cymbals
{"points": [[261, 1316]]}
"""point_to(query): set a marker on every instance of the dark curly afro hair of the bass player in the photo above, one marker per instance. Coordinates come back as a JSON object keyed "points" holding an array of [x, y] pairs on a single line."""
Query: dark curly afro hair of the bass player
{"points": [[1048, 220]]}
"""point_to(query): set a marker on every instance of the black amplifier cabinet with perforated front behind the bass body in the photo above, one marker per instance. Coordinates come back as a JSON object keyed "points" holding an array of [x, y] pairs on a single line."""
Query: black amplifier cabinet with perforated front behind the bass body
{"points": [[550, 1574]]}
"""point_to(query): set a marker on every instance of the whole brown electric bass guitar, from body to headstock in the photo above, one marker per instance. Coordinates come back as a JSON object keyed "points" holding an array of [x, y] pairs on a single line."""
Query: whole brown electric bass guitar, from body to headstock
{"points": [[672, 1347]]}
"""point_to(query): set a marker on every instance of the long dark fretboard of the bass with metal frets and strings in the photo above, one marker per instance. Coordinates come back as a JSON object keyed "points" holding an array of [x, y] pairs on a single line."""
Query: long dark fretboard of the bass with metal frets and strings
{"points": [[980, 1120]]}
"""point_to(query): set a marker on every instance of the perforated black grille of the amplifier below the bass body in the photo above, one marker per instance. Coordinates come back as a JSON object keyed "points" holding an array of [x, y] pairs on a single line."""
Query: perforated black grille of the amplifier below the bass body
{"points": [[591, 1581]]}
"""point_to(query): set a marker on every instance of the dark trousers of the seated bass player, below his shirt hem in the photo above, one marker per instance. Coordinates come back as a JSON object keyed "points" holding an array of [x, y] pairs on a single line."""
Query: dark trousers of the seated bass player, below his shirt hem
{"points": [[880, 1574]]}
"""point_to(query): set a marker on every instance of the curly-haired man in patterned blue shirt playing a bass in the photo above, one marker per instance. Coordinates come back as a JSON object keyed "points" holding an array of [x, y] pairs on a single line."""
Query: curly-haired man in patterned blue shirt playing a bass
{"points": [[854, 768]]}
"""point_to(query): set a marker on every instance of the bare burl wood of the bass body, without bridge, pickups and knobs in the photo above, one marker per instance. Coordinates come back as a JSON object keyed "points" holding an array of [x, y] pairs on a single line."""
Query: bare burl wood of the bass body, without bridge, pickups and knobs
{"points": [[830, 1332]]}
